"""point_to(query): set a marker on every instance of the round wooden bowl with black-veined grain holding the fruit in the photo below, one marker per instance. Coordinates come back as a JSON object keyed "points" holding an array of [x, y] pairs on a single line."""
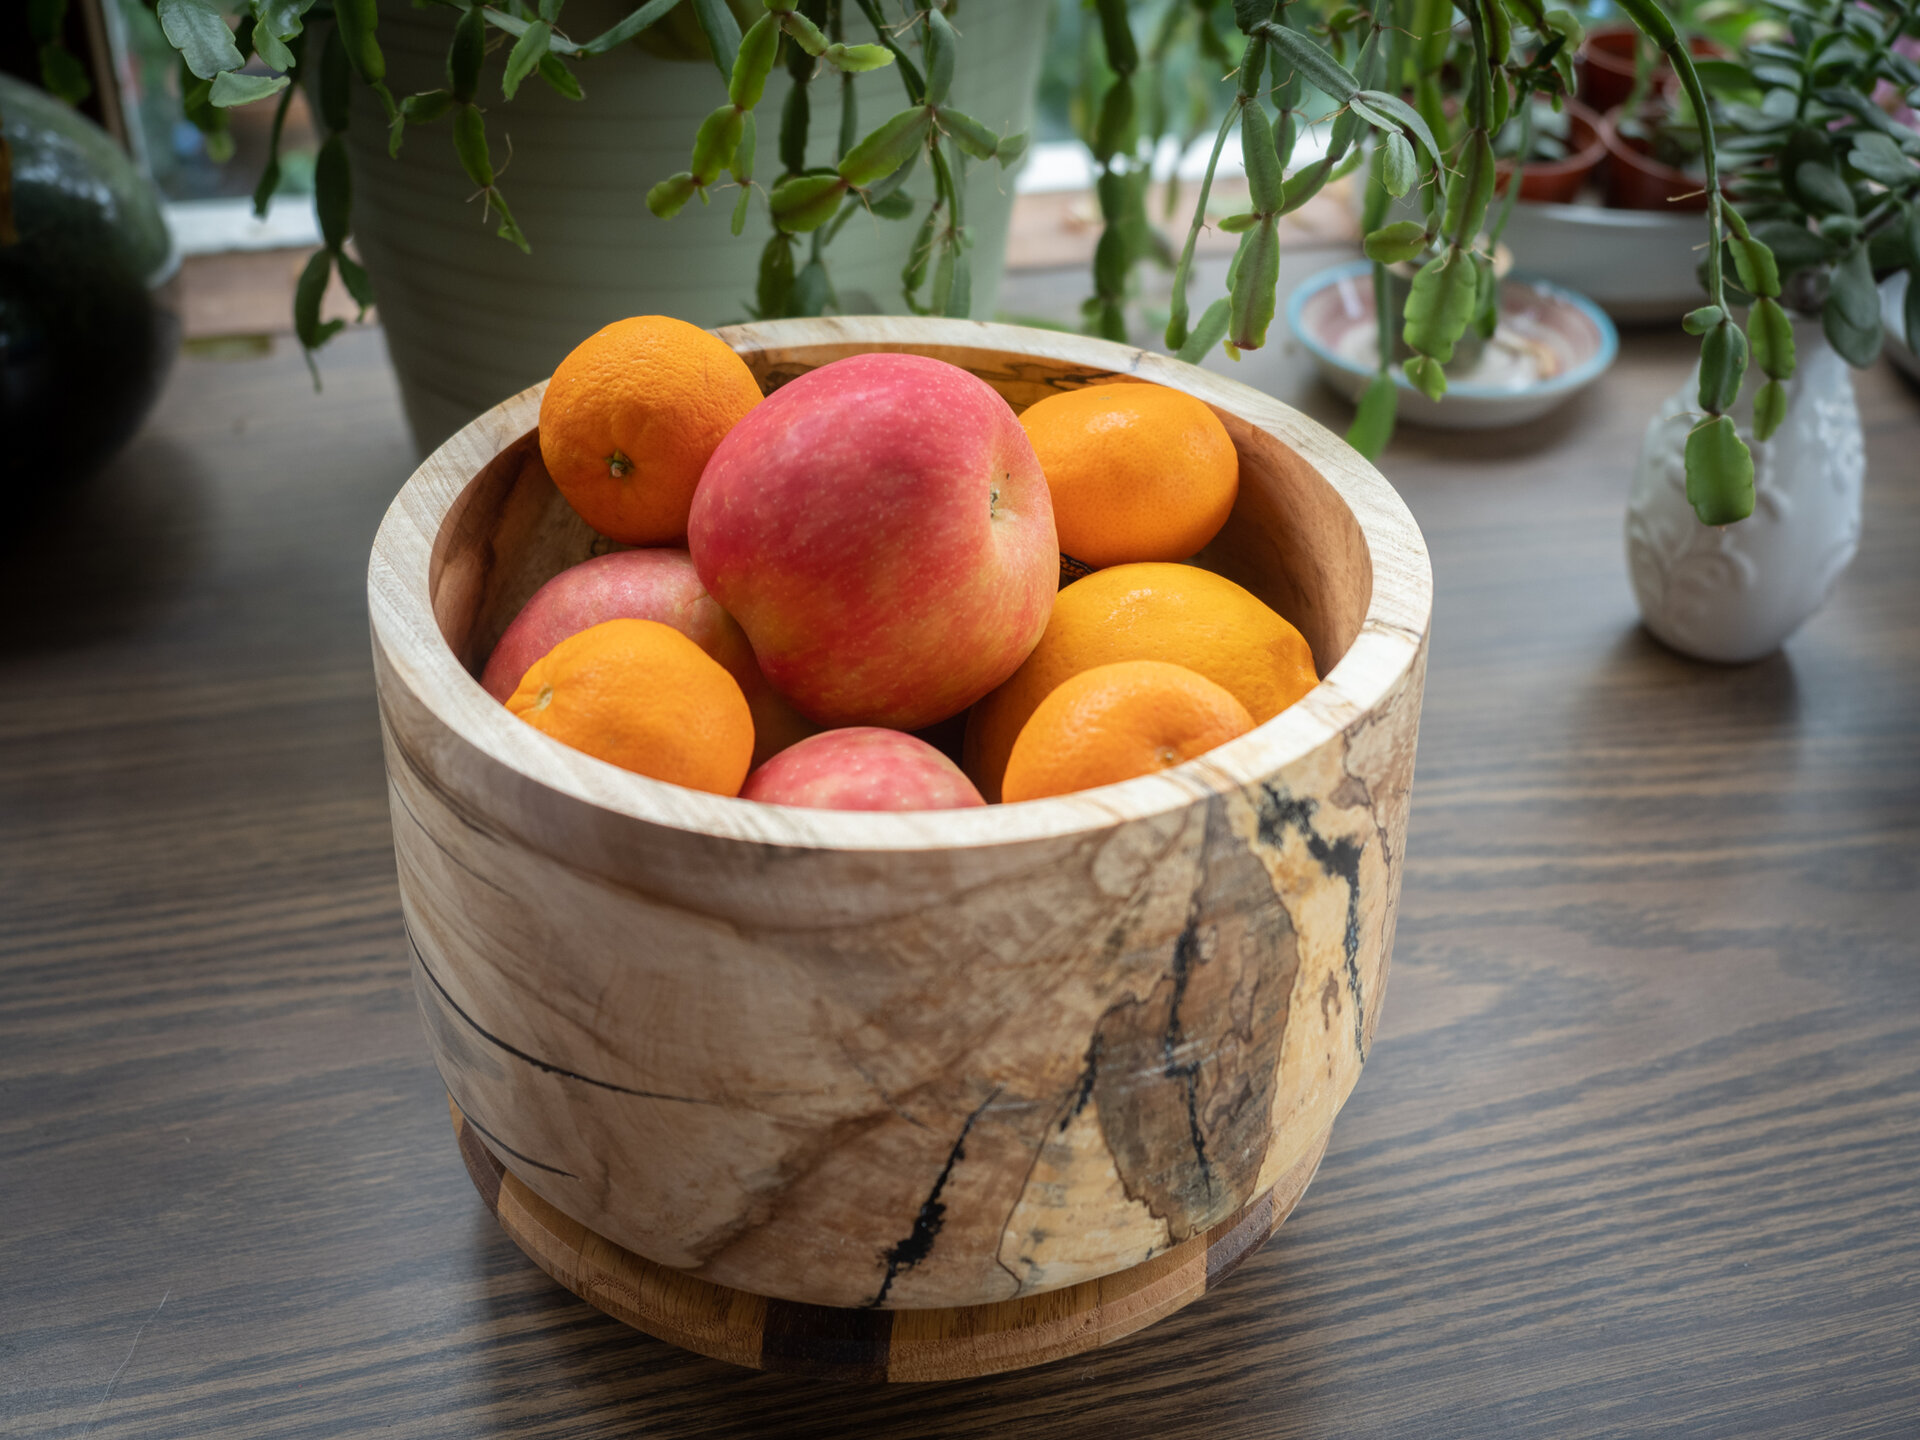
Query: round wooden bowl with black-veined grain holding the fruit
{"points": [[903, 1063]]}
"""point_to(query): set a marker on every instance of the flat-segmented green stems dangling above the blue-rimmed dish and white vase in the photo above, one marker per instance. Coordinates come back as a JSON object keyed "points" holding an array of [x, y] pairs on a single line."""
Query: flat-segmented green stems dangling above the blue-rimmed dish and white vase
{"points": [[1428, 85]]}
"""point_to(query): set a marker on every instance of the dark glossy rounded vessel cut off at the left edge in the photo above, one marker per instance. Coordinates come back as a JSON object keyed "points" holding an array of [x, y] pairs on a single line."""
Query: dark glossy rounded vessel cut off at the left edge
{"points": [[85, 329]]}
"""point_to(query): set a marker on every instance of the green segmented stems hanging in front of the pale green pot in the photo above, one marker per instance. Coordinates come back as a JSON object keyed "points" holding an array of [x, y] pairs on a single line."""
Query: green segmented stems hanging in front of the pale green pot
{"points": [[809, 203]]}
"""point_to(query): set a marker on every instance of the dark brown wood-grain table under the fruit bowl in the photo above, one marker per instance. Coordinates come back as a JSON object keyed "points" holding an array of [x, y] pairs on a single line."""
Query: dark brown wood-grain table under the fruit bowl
{"points": [[1637, 1153]]}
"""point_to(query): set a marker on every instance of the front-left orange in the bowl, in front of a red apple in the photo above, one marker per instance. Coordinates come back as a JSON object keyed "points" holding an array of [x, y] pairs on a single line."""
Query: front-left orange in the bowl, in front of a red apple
{"points": [[642, 696]]}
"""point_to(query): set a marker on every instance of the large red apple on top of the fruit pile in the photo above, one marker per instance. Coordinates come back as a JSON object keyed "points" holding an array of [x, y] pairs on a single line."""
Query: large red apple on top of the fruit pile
{"points": [[882, 533]]}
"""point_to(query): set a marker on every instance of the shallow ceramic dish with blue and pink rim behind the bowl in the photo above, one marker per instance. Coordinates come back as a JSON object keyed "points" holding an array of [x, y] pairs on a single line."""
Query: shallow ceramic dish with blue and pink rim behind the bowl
{"points": [[1550, 347]]}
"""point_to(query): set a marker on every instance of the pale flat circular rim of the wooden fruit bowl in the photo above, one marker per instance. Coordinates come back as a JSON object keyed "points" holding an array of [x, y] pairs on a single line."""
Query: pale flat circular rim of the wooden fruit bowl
{"points": [[1391, 638]]}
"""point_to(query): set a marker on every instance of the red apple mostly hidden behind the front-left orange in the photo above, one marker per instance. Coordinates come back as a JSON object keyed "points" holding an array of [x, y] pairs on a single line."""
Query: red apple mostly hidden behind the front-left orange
{"points": [[642, 585]]}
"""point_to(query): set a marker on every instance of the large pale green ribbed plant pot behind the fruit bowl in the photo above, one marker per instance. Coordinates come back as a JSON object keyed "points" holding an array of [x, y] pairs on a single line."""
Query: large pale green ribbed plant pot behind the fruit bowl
{"points": [[469, 320]]}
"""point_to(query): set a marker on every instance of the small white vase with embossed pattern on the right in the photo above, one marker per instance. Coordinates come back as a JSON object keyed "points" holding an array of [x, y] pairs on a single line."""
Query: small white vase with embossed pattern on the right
{"points": [[1737, 592]]}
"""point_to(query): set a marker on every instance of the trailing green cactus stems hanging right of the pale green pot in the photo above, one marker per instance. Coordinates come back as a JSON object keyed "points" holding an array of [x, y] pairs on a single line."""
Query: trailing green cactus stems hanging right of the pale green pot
{"points": [[1412, 93]]}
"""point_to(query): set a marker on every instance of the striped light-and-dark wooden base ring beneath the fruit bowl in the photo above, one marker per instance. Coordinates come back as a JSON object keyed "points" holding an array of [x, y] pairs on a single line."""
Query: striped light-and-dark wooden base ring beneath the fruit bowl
{"points": [[873, 1345]]}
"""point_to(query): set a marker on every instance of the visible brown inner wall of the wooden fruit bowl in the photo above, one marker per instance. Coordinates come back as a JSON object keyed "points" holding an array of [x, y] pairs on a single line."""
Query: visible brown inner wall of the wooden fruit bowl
{"points": [[1291, 539]]}
